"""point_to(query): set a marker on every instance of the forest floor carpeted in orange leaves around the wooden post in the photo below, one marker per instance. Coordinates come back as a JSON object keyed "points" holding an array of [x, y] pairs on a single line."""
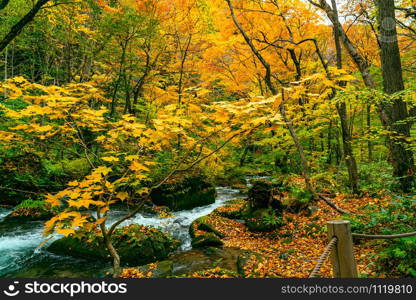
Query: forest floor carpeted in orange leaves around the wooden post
{"points": [[293, 250]]}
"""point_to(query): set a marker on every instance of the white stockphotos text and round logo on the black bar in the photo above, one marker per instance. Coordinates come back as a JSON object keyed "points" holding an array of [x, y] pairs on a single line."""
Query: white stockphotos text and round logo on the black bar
{"points": [[70, 289]]}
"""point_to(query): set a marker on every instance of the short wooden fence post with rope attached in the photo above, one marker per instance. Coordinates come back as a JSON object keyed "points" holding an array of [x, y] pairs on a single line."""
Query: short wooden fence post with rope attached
{"points": [[342, 256]]}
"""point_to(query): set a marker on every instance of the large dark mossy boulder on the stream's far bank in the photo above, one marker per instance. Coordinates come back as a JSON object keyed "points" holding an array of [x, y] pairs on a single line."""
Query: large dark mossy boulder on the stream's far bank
{"points": [[188, 193]]}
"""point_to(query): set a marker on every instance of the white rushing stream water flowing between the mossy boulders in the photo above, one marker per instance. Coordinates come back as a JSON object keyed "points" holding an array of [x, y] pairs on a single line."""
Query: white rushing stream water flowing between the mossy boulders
{"points": [[22, 256]]}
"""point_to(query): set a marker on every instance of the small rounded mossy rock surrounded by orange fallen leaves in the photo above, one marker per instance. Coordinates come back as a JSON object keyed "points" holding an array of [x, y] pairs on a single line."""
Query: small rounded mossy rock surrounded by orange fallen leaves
{"points": [[262, 220]]}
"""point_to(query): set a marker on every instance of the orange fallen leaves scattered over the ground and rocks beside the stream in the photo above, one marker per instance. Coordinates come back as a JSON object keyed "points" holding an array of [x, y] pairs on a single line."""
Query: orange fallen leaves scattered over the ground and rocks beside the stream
{"points": [[289, 251]]}
